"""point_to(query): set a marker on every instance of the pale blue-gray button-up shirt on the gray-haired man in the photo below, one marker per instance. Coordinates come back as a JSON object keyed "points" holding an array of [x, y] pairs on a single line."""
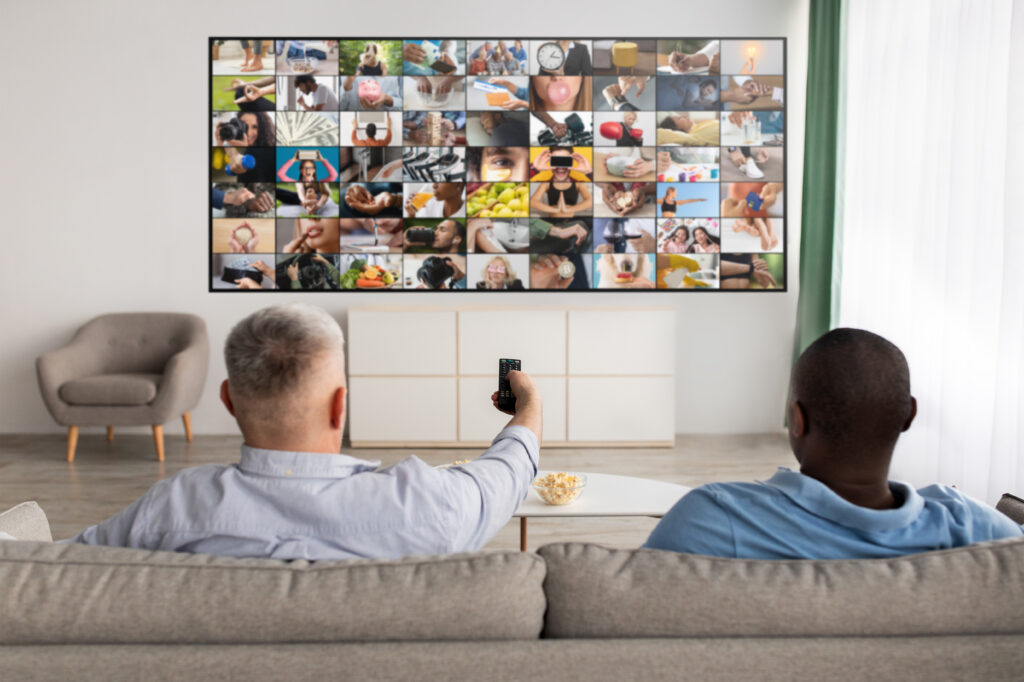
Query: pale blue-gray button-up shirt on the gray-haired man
{"points": [[320, 506]]}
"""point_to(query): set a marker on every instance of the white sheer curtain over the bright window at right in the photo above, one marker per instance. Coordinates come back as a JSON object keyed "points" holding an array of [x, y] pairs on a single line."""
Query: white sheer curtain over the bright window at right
{"points": [[932, 225]]}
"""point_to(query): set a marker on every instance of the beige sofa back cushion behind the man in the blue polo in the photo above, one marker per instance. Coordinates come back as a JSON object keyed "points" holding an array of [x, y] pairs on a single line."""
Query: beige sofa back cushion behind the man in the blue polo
{"points": [[594, 591]]}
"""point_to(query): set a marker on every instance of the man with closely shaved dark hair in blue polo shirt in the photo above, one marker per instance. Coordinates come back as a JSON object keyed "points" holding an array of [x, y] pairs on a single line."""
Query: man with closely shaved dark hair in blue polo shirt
{"points": [[849, 401]]}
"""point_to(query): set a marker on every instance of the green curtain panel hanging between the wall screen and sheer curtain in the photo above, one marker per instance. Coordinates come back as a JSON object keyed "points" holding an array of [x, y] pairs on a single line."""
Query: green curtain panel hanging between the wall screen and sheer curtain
{"points": [[820, 233]]}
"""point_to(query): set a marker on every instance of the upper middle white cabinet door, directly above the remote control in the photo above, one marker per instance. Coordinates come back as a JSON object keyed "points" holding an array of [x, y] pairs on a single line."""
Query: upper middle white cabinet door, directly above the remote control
{"points": [[536, 337]]}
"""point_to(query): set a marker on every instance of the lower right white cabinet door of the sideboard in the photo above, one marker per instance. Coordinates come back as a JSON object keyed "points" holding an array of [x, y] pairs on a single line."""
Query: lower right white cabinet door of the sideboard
{"points": [[622, 409]]}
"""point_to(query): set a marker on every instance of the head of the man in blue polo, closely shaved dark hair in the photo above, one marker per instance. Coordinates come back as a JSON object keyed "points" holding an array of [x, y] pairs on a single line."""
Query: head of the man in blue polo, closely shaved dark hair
{"points": [[849, 401]]}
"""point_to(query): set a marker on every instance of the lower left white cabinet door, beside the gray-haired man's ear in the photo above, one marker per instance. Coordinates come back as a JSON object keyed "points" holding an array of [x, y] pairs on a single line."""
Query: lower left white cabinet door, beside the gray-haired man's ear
{"points": [[402, 409]]}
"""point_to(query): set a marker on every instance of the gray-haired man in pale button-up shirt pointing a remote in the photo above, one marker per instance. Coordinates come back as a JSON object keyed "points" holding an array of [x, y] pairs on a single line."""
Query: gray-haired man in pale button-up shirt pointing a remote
{"points": [[293, 496]]}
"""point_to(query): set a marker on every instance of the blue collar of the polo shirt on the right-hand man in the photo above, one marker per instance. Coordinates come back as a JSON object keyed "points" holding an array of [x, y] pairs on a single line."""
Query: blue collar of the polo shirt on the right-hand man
{"points": [[822, 501]]}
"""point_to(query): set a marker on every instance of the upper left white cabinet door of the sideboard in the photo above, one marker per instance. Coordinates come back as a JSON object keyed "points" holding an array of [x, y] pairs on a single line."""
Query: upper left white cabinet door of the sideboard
{"points": [[392, 344]]}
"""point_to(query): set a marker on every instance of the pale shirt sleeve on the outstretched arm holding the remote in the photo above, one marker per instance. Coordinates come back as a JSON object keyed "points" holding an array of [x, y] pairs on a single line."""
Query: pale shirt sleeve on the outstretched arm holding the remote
{"points": [[488, 491]]}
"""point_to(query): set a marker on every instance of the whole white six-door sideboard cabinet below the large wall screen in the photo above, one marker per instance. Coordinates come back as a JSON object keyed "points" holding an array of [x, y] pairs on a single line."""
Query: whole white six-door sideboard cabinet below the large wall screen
{"points": [[424, 377]]}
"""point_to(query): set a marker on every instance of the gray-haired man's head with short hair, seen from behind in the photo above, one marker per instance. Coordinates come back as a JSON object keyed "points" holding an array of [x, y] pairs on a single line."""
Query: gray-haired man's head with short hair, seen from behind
{"points": [[286, 378]]}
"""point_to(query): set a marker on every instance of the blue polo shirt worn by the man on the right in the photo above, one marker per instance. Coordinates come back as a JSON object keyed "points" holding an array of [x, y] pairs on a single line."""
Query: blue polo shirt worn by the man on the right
{"points": [[793, 517]]}
